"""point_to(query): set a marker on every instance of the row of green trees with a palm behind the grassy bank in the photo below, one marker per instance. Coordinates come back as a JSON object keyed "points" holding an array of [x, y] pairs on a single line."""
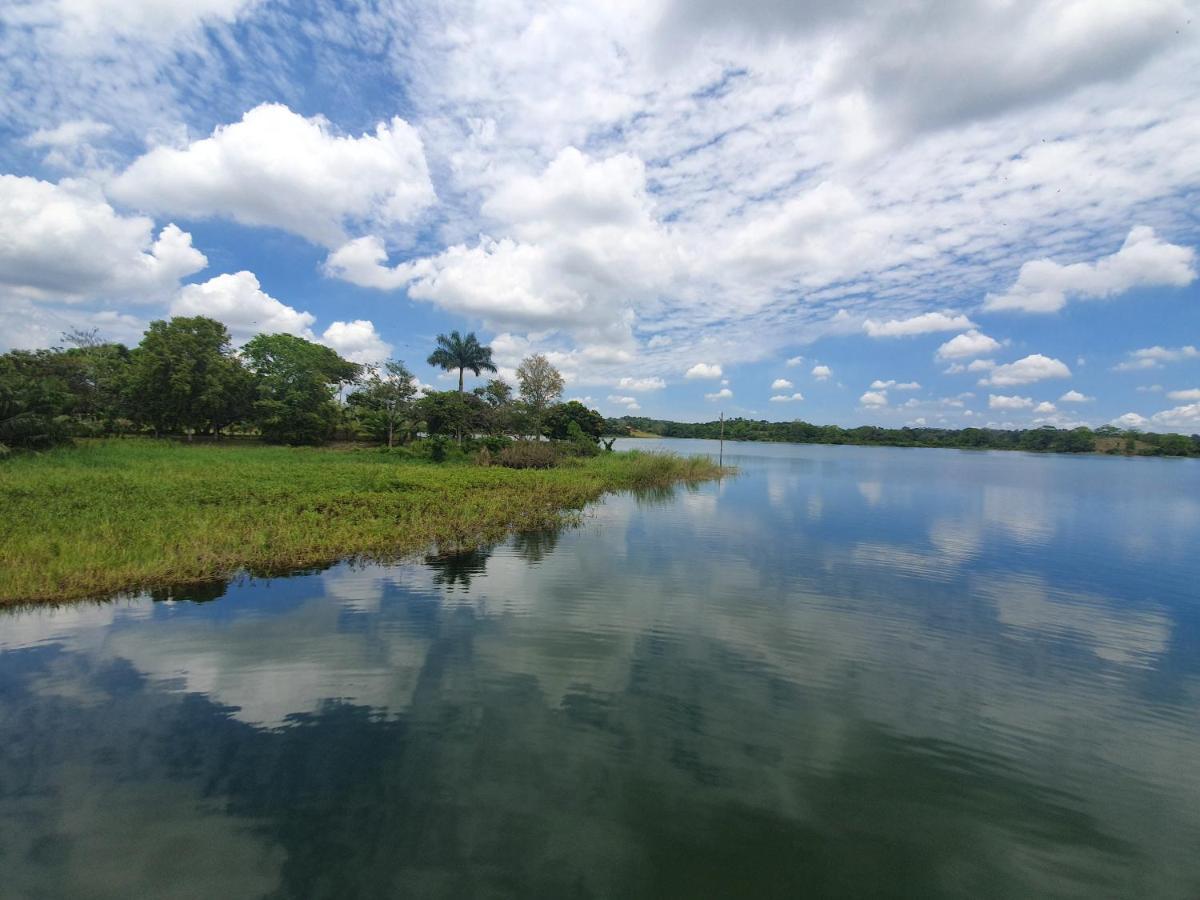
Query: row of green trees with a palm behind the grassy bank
{"points": [[187, 379]]}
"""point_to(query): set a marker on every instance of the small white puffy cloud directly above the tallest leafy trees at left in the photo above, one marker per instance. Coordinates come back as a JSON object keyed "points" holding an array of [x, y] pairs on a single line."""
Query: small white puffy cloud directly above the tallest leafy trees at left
{"points": [[239, 302]]}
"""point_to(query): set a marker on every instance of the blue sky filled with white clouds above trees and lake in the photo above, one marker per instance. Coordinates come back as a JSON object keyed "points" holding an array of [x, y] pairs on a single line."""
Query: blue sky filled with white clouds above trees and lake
{"points": [[944, 213]]}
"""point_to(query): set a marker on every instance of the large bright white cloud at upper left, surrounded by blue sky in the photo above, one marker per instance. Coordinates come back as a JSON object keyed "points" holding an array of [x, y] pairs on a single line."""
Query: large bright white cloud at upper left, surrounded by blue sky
{"points": [[280, 170]]}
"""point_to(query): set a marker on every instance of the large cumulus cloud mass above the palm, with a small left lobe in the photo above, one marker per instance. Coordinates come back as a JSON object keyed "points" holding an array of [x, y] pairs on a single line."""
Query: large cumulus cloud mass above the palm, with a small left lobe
{"points": [[579, 247]]}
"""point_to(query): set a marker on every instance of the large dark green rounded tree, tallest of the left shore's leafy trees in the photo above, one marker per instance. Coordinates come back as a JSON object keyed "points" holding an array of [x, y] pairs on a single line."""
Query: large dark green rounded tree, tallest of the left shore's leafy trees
{"points": [[185, 376]]}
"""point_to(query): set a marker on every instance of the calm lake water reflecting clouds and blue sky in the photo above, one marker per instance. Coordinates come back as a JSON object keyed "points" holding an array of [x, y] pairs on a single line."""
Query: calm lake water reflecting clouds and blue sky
{"points": [[847, 673]]}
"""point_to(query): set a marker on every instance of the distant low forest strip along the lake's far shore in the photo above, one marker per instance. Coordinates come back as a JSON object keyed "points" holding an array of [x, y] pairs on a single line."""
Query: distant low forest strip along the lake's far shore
{"points": [[1108, 440]]}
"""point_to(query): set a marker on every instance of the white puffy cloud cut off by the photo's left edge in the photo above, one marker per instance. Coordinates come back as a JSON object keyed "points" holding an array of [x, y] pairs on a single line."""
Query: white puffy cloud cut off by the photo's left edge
{"points": [[64, 242]]}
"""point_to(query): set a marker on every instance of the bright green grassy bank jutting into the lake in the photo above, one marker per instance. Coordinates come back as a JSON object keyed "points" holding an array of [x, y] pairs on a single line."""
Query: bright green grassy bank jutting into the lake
{"points": [[121, 515]]}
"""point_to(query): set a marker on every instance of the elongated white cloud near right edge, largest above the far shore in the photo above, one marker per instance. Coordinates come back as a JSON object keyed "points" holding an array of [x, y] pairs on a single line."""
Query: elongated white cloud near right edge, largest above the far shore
{"points": [[1143, 262]]}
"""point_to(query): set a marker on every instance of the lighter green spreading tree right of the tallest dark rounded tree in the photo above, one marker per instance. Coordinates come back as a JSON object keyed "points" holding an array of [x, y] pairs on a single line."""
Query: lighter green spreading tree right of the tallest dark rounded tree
{"points": [[297, 383]]}
